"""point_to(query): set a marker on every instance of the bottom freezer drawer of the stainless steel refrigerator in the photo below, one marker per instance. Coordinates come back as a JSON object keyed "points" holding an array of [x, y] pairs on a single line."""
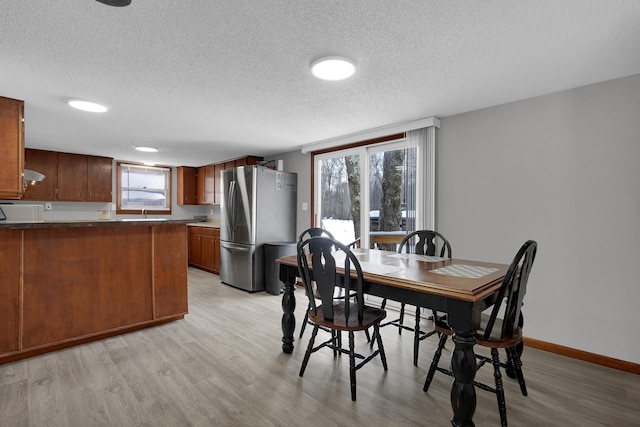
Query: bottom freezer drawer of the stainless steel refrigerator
{"points": [[240, 266]]}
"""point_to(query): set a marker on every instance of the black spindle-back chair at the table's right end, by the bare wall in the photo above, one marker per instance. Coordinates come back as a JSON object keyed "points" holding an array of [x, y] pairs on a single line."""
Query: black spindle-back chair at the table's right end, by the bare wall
{"points": [[496, 333]]}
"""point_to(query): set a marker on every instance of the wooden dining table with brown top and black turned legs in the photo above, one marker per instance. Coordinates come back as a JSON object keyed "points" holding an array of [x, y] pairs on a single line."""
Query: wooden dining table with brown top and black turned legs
{"points": [[460, 288]]}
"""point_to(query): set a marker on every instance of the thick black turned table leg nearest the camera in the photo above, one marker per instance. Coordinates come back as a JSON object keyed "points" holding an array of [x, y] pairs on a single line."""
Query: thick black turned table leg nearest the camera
{"points": [[463, 394]]}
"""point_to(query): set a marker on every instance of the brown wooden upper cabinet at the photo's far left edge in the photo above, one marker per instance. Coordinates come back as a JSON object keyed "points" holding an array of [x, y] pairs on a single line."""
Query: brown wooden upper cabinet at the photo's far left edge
{"points": [[11, 148]]}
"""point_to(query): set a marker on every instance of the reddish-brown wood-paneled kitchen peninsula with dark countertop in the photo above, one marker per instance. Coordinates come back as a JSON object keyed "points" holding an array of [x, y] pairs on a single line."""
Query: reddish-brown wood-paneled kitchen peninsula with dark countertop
{"points": [[68, 282]]}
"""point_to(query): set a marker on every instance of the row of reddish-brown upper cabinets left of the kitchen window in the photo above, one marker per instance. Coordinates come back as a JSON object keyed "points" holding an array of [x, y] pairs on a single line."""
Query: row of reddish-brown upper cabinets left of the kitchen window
{"points": [[70, 177]]}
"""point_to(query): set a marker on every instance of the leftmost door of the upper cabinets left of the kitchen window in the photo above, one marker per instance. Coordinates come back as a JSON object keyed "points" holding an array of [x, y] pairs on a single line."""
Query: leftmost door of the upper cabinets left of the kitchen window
{"points": [[45, 162]]}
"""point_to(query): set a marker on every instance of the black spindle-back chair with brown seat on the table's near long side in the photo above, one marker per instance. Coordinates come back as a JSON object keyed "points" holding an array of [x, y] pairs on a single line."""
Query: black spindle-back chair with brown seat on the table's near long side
{"points": [[318, 261]]}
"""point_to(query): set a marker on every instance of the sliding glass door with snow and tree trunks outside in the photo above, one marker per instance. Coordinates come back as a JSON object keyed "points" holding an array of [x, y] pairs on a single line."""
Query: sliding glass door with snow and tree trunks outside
{"points": [[368, 193]]}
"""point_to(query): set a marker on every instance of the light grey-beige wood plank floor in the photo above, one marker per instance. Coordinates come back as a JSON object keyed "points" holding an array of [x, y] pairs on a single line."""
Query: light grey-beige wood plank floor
{"points": [[223, 366]]}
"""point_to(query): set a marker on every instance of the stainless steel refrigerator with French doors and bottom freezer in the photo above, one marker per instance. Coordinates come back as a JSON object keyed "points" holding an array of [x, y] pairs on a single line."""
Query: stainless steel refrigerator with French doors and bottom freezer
{"points": [[258, 206]]}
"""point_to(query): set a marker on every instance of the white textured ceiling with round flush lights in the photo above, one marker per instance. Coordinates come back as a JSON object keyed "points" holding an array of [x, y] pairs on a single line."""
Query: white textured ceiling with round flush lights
{"points": [[207, 80]]}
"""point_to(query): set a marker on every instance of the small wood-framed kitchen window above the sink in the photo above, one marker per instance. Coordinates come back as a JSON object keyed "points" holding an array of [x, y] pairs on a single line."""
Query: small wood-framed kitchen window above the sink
{"points": [[143, 189]]}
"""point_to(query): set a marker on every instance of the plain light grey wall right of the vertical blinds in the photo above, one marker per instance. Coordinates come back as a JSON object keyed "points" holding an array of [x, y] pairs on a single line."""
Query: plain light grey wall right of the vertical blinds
{"points": [[563, 169]]}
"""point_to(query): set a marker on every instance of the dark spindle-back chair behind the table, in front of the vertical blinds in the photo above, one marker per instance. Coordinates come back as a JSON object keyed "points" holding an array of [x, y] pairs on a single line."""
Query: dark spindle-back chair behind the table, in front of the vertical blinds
{"points": [[421, 242]]}
